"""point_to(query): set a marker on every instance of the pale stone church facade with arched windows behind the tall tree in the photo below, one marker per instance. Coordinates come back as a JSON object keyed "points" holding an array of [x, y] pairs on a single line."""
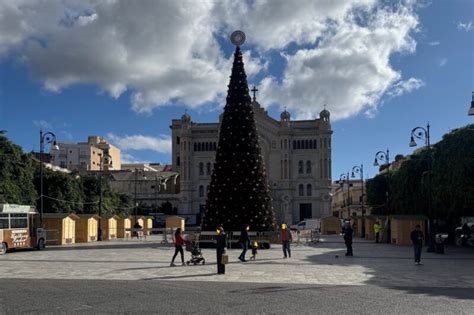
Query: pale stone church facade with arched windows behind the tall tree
{"points": [[297, 156]]}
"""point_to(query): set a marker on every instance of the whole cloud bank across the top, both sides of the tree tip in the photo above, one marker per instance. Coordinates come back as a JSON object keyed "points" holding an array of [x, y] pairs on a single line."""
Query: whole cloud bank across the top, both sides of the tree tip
{"points": [[168, 52]]}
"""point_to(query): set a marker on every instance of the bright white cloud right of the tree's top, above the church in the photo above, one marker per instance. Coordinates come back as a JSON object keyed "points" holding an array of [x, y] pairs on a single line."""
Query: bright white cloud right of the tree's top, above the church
{"points": [[350, 70]]}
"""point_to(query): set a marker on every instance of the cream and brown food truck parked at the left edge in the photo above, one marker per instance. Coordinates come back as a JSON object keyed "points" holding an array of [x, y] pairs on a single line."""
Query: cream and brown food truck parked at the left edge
{"points": [[20, 228]]}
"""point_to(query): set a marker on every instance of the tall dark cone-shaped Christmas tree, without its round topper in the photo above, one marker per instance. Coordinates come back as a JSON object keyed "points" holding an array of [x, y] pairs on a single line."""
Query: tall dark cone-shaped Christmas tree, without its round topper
{"points": [[239, 193]]}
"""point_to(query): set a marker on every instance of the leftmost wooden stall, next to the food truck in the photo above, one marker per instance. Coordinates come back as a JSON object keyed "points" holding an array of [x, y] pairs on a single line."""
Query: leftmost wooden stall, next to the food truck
{"points": [[62, 225]]}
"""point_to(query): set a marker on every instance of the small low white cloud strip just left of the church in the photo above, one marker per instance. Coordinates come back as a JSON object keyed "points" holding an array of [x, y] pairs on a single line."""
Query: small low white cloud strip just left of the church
{"points": [[161, 144]]}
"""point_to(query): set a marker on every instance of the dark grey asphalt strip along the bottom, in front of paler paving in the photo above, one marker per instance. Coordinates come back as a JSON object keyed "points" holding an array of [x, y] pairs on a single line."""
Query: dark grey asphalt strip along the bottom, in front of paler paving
{"points": [[201, 297]]}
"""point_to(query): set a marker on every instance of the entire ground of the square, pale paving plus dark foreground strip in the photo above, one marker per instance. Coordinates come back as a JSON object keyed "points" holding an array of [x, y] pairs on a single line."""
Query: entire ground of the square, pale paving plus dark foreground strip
{"points": [[131, 276]]}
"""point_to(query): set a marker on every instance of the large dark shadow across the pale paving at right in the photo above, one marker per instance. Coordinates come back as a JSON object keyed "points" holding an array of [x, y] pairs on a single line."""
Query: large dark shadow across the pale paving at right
{"points": [[393, 267]]}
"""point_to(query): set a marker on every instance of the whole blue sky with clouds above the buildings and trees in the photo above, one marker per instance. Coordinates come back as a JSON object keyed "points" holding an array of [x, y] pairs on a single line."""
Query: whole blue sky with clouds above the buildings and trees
{"points": [[124, 69]]}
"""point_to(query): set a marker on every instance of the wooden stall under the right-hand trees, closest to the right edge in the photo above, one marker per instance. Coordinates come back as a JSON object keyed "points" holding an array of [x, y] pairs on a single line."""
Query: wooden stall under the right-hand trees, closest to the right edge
{"points": [[402, 225]]}
